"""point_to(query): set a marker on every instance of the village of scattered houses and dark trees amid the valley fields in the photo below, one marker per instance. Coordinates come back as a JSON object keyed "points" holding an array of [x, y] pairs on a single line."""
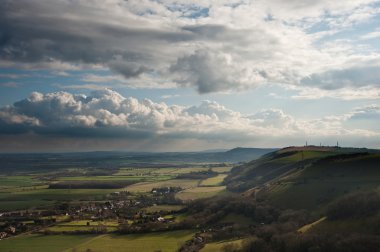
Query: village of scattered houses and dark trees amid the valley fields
{"points": [[126, 210]]}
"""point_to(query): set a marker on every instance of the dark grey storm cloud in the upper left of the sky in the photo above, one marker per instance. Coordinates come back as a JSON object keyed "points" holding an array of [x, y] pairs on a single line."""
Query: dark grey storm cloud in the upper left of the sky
{"points": [[35, 31]]}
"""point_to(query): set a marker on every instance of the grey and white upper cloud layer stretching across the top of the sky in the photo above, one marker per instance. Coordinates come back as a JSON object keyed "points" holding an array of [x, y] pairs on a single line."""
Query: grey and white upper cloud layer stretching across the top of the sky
{"points": [[211, 46]]}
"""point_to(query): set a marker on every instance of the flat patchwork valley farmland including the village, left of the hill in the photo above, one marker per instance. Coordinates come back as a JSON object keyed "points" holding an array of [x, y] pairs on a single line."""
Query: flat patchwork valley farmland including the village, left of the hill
{"points": [[89, 208]]}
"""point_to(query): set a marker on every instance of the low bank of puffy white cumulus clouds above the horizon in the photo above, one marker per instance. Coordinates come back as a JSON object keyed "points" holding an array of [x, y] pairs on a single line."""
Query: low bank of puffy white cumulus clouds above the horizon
{"points": [[105, 114]]}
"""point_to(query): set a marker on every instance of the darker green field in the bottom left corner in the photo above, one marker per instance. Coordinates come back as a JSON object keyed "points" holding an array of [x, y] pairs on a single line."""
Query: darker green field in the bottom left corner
{"points": [[42, 243]]}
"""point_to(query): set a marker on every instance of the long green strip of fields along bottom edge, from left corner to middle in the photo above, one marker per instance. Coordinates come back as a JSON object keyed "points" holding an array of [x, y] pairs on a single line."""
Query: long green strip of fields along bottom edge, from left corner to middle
{"points": [[163, 241]]}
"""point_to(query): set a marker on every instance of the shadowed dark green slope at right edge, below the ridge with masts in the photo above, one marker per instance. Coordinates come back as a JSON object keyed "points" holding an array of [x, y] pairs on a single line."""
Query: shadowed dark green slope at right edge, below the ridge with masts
{"points": [[326, 180]]}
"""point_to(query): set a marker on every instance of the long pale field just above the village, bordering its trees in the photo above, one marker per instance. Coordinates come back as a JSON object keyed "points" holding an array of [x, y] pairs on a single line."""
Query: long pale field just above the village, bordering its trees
{"points": [[148, 186]]}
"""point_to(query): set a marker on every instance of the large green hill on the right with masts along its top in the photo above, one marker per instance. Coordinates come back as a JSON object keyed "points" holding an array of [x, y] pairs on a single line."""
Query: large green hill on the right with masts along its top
{"points": [[307, 177]]}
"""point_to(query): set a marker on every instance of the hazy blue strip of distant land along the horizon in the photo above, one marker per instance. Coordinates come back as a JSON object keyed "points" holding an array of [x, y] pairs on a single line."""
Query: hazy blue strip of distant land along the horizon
{"points": [[10, 162]]}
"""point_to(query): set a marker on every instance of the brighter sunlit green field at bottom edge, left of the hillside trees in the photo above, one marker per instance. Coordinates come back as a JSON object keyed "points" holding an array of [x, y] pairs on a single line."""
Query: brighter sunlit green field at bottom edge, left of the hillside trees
{"points": [[161, 241]]}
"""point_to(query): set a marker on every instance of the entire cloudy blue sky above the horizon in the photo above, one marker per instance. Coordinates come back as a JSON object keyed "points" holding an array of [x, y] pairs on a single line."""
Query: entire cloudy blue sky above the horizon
{"points": [[166, 75]]}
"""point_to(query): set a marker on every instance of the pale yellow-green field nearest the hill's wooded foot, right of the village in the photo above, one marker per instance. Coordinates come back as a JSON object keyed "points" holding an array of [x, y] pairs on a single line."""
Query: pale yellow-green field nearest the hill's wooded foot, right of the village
{"points": [[200, 192]]}
